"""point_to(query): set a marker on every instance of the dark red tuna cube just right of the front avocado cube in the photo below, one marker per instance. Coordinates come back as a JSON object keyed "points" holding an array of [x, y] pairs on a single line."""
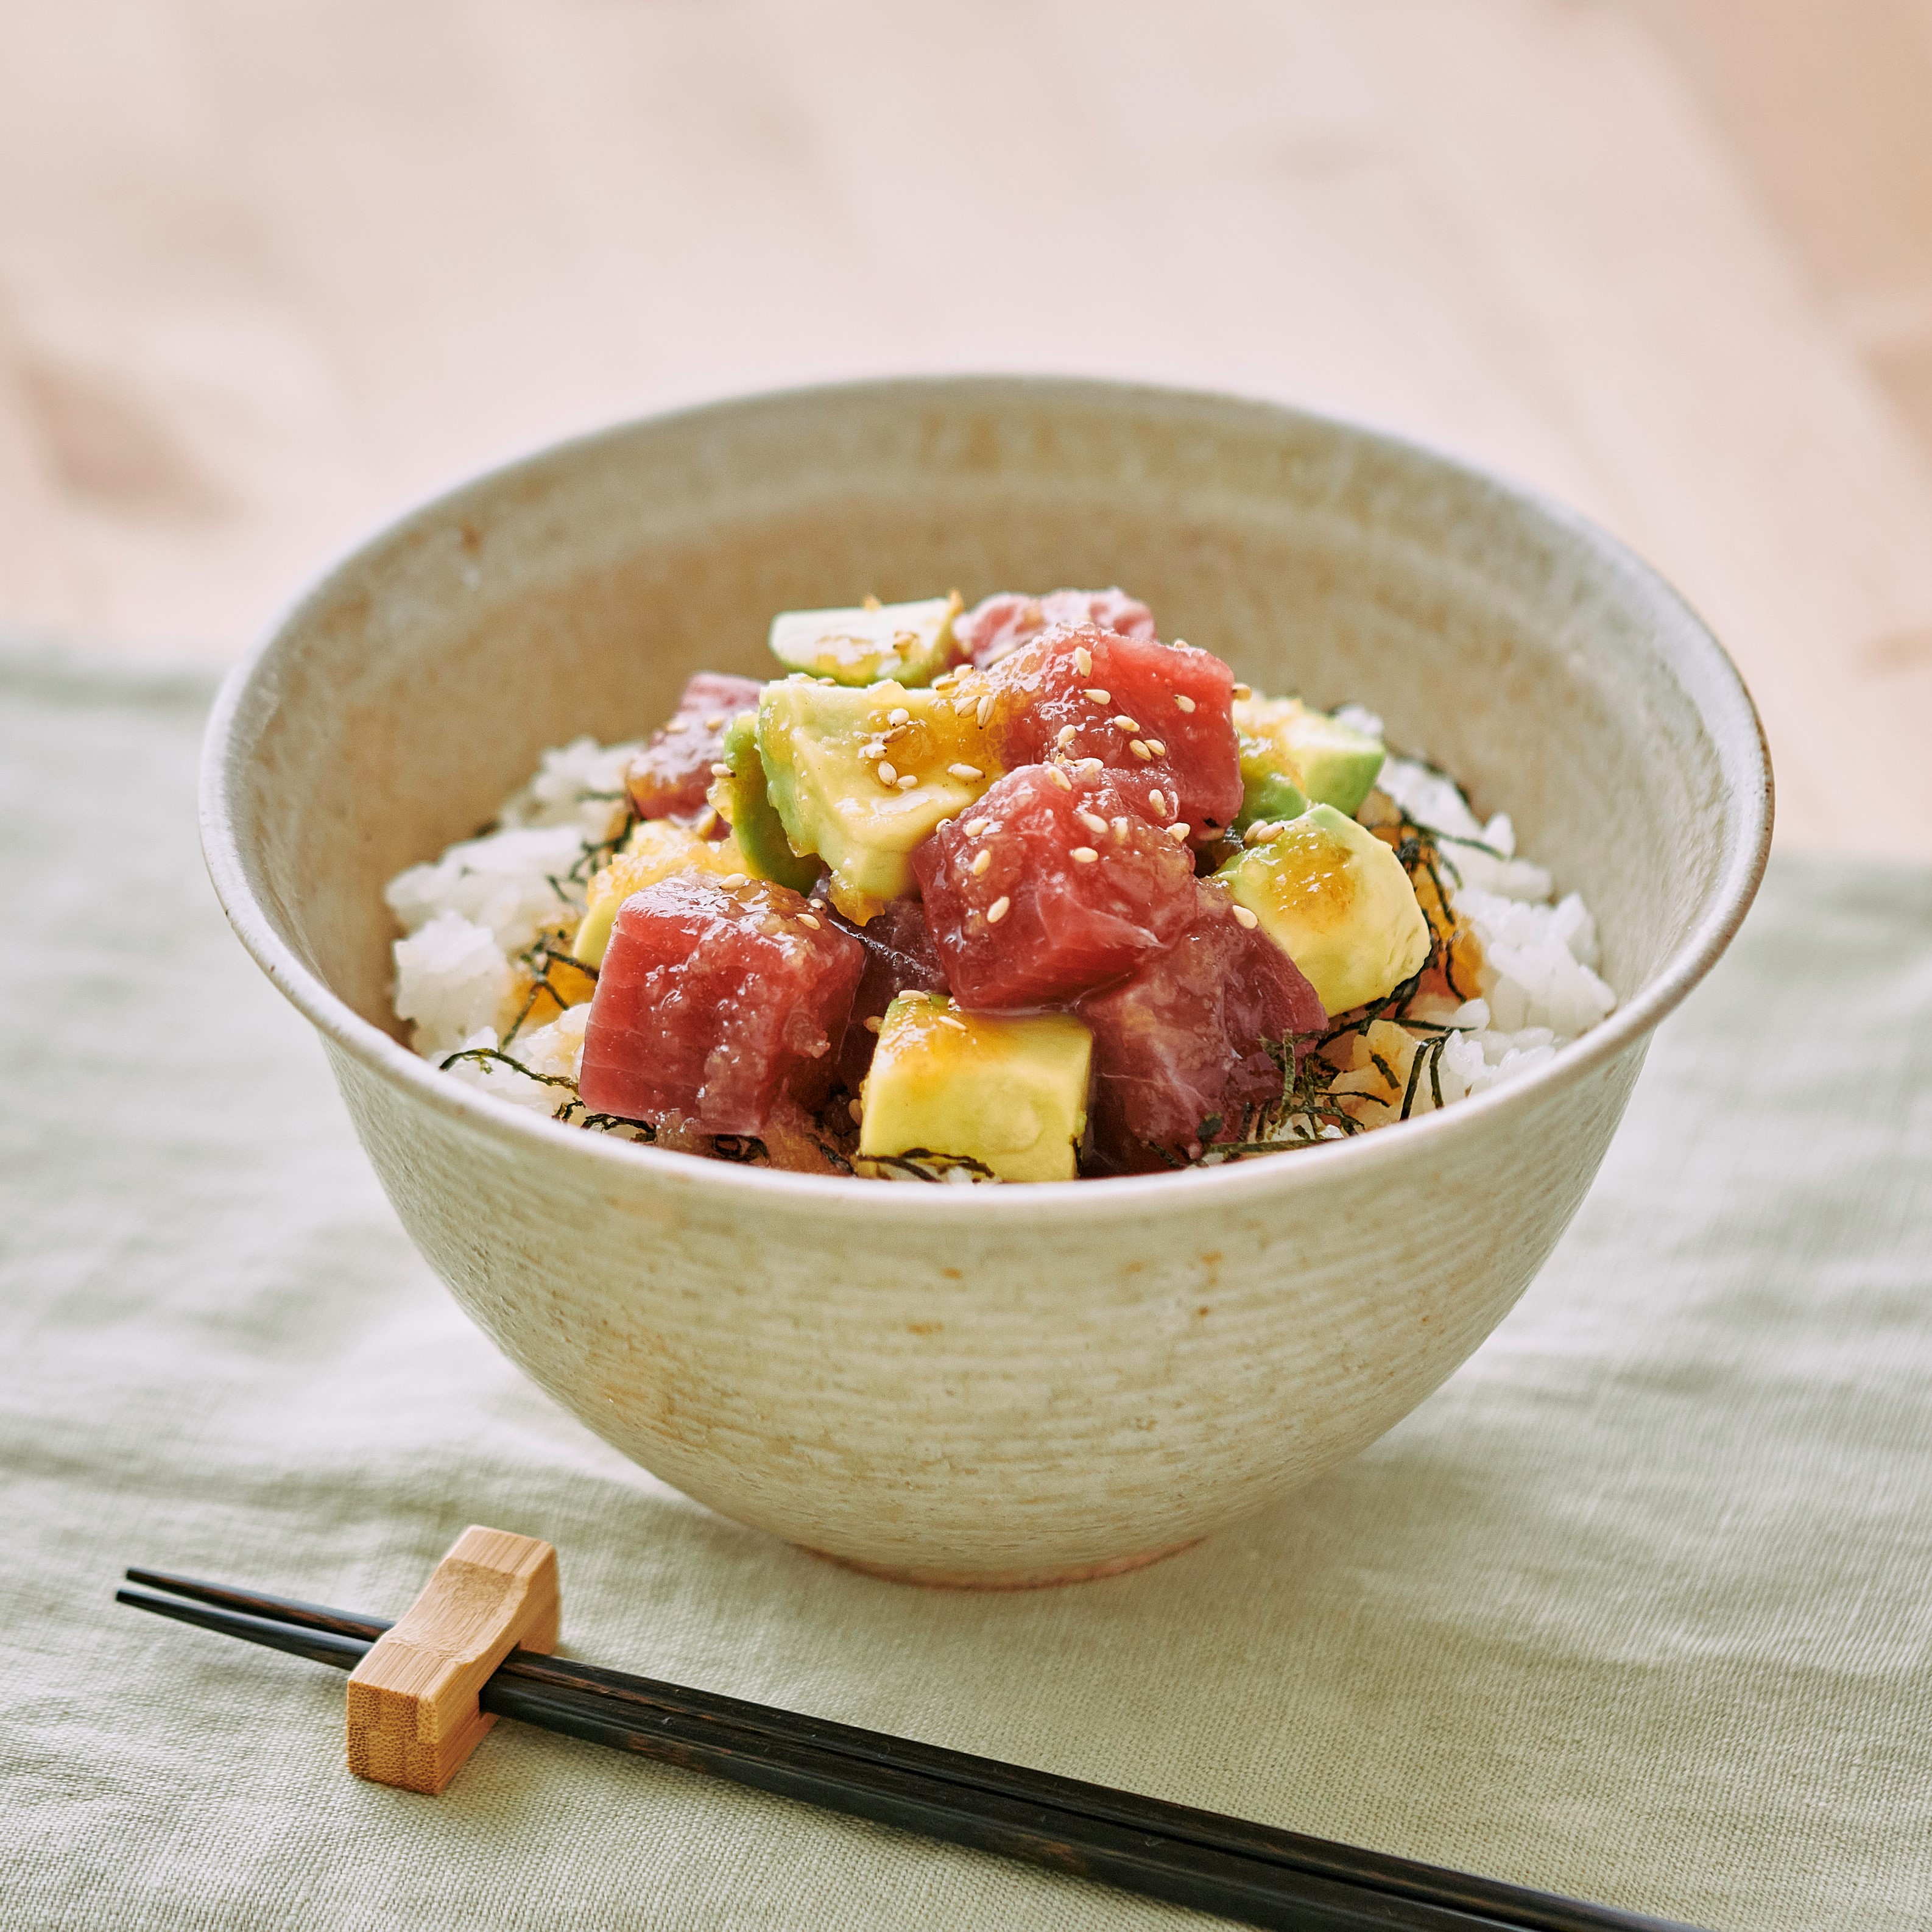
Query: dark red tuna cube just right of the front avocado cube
{"points": [[1181, 1040]]}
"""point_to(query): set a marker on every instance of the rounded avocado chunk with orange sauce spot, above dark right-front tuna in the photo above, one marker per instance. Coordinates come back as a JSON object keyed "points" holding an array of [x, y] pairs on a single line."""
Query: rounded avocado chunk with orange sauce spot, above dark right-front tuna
{"points": [[1336, 899]]}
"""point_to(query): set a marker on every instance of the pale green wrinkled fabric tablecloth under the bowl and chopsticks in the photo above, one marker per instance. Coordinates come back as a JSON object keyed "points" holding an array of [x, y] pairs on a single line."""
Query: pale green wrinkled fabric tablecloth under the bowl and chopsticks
{"points": [[1639, 1606]]}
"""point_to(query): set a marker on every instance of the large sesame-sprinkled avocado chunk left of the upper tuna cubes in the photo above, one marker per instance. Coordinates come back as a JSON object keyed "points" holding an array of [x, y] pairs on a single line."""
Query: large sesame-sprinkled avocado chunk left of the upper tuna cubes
{"points": [[861, 778]]}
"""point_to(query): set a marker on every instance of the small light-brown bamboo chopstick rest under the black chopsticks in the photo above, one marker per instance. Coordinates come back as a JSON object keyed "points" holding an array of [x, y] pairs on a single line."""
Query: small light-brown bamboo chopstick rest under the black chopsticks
{"points": [[414, 1697]]}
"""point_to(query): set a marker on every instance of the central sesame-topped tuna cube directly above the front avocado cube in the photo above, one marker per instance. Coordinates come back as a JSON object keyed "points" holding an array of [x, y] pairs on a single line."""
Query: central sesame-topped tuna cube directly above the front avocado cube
{"points": [[1052, 884]]}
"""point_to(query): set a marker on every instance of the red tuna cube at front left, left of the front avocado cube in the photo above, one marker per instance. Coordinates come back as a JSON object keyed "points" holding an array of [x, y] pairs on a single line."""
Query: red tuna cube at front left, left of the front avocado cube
{"points": [[716, 998]]}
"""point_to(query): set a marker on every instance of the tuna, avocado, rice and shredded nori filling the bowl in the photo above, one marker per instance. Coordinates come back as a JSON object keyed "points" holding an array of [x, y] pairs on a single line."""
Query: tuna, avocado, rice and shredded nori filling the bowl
{"points": [[1013, 894]]}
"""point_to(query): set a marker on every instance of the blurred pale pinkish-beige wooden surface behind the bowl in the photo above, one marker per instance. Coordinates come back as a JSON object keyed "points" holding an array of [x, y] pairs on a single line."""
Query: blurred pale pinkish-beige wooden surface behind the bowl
{"points": [[271, 273]]}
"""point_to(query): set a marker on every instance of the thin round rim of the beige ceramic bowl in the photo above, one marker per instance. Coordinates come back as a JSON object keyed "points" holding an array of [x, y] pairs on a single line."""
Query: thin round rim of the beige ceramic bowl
{"points": [[1717, 691]]}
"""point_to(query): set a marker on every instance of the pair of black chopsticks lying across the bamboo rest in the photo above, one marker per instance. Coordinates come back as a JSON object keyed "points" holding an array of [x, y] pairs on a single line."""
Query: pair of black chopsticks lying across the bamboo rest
{"points": [[1226, 1865]]}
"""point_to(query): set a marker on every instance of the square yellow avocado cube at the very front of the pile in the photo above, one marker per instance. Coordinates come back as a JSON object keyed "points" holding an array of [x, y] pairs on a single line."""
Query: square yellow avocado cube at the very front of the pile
{"points": [[992, 1089]]}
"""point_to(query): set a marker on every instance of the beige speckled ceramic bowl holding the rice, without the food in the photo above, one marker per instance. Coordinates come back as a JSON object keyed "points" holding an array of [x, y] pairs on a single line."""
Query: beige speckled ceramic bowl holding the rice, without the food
{"points": [[1013, 1384]]}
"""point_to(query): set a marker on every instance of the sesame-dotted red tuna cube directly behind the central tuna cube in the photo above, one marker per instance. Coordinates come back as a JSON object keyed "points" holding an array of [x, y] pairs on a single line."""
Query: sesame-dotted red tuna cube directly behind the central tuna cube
{"points": [[1156, 714]]}
